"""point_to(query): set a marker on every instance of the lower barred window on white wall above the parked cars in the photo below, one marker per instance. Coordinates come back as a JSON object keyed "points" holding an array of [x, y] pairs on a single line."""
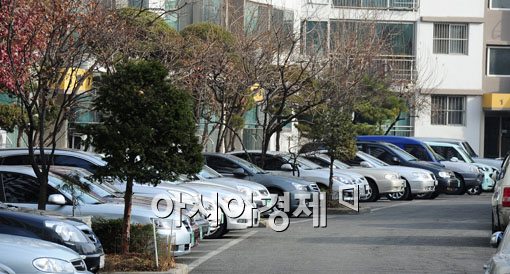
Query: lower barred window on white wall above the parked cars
{"points": [[448, 110]]}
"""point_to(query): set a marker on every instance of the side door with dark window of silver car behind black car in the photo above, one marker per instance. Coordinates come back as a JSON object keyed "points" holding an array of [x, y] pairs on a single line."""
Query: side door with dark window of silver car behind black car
{"points": [[23, 191]]}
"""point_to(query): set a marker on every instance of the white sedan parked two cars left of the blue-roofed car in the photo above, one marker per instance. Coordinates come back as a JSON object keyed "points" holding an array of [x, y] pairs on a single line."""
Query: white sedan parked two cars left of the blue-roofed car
{"points": [[379, 174]]}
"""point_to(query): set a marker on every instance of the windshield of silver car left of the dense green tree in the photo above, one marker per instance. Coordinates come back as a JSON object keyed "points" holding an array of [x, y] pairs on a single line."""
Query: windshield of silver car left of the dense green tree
{"points": [[69, 186]]}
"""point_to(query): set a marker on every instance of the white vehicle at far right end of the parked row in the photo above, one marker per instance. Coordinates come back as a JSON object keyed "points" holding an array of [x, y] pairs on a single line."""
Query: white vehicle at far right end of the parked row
{"points": [[455, 153]]}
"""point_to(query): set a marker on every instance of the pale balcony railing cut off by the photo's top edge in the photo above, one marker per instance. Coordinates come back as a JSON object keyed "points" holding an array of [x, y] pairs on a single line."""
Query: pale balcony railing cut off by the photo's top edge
{"points": [[377, 4]]}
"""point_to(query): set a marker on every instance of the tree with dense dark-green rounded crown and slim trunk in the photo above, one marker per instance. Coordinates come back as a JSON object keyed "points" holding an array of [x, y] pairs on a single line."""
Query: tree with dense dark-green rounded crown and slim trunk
{"points": [[147, 133]]}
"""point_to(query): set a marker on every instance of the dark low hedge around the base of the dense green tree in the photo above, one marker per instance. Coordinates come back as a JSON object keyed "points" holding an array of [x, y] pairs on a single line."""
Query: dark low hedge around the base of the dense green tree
{"points": [[109, 232]]}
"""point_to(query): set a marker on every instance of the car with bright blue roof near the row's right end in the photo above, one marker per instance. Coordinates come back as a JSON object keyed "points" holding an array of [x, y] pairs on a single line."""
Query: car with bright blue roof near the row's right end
{"points": [[468, 174]]}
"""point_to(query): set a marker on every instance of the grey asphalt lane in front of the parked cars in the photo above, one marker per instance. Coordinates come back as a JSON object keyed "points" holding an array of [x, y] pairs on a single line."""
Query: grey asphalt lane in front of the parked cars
{"points": [[447, 235]]}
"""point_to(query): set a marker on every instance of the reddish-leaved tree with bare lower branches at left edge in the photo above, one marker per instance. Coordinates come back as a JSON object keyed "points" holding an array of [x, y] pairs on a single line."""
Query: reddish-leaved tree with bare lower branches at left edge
{"points": [[46, 62]]}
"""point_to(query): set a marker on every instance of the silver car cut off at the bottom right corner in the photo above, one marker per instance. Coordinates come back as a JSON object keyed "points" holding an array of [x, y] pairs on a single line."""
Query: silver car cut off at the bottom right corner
{"points": [[499, 263]]}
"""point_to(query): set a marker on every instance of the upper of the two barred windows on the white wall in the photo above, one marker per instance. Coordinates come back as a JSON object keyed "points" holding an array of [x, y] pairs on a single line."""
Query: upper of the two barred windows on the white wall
{"points": [[450, 38]]}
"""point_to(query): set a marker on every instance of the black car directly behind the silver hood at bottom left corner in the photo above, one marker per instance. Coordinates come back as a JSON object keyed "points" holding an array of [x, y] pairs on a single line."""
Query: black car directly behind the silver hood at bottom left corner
{"points": [[68, 232]]}
